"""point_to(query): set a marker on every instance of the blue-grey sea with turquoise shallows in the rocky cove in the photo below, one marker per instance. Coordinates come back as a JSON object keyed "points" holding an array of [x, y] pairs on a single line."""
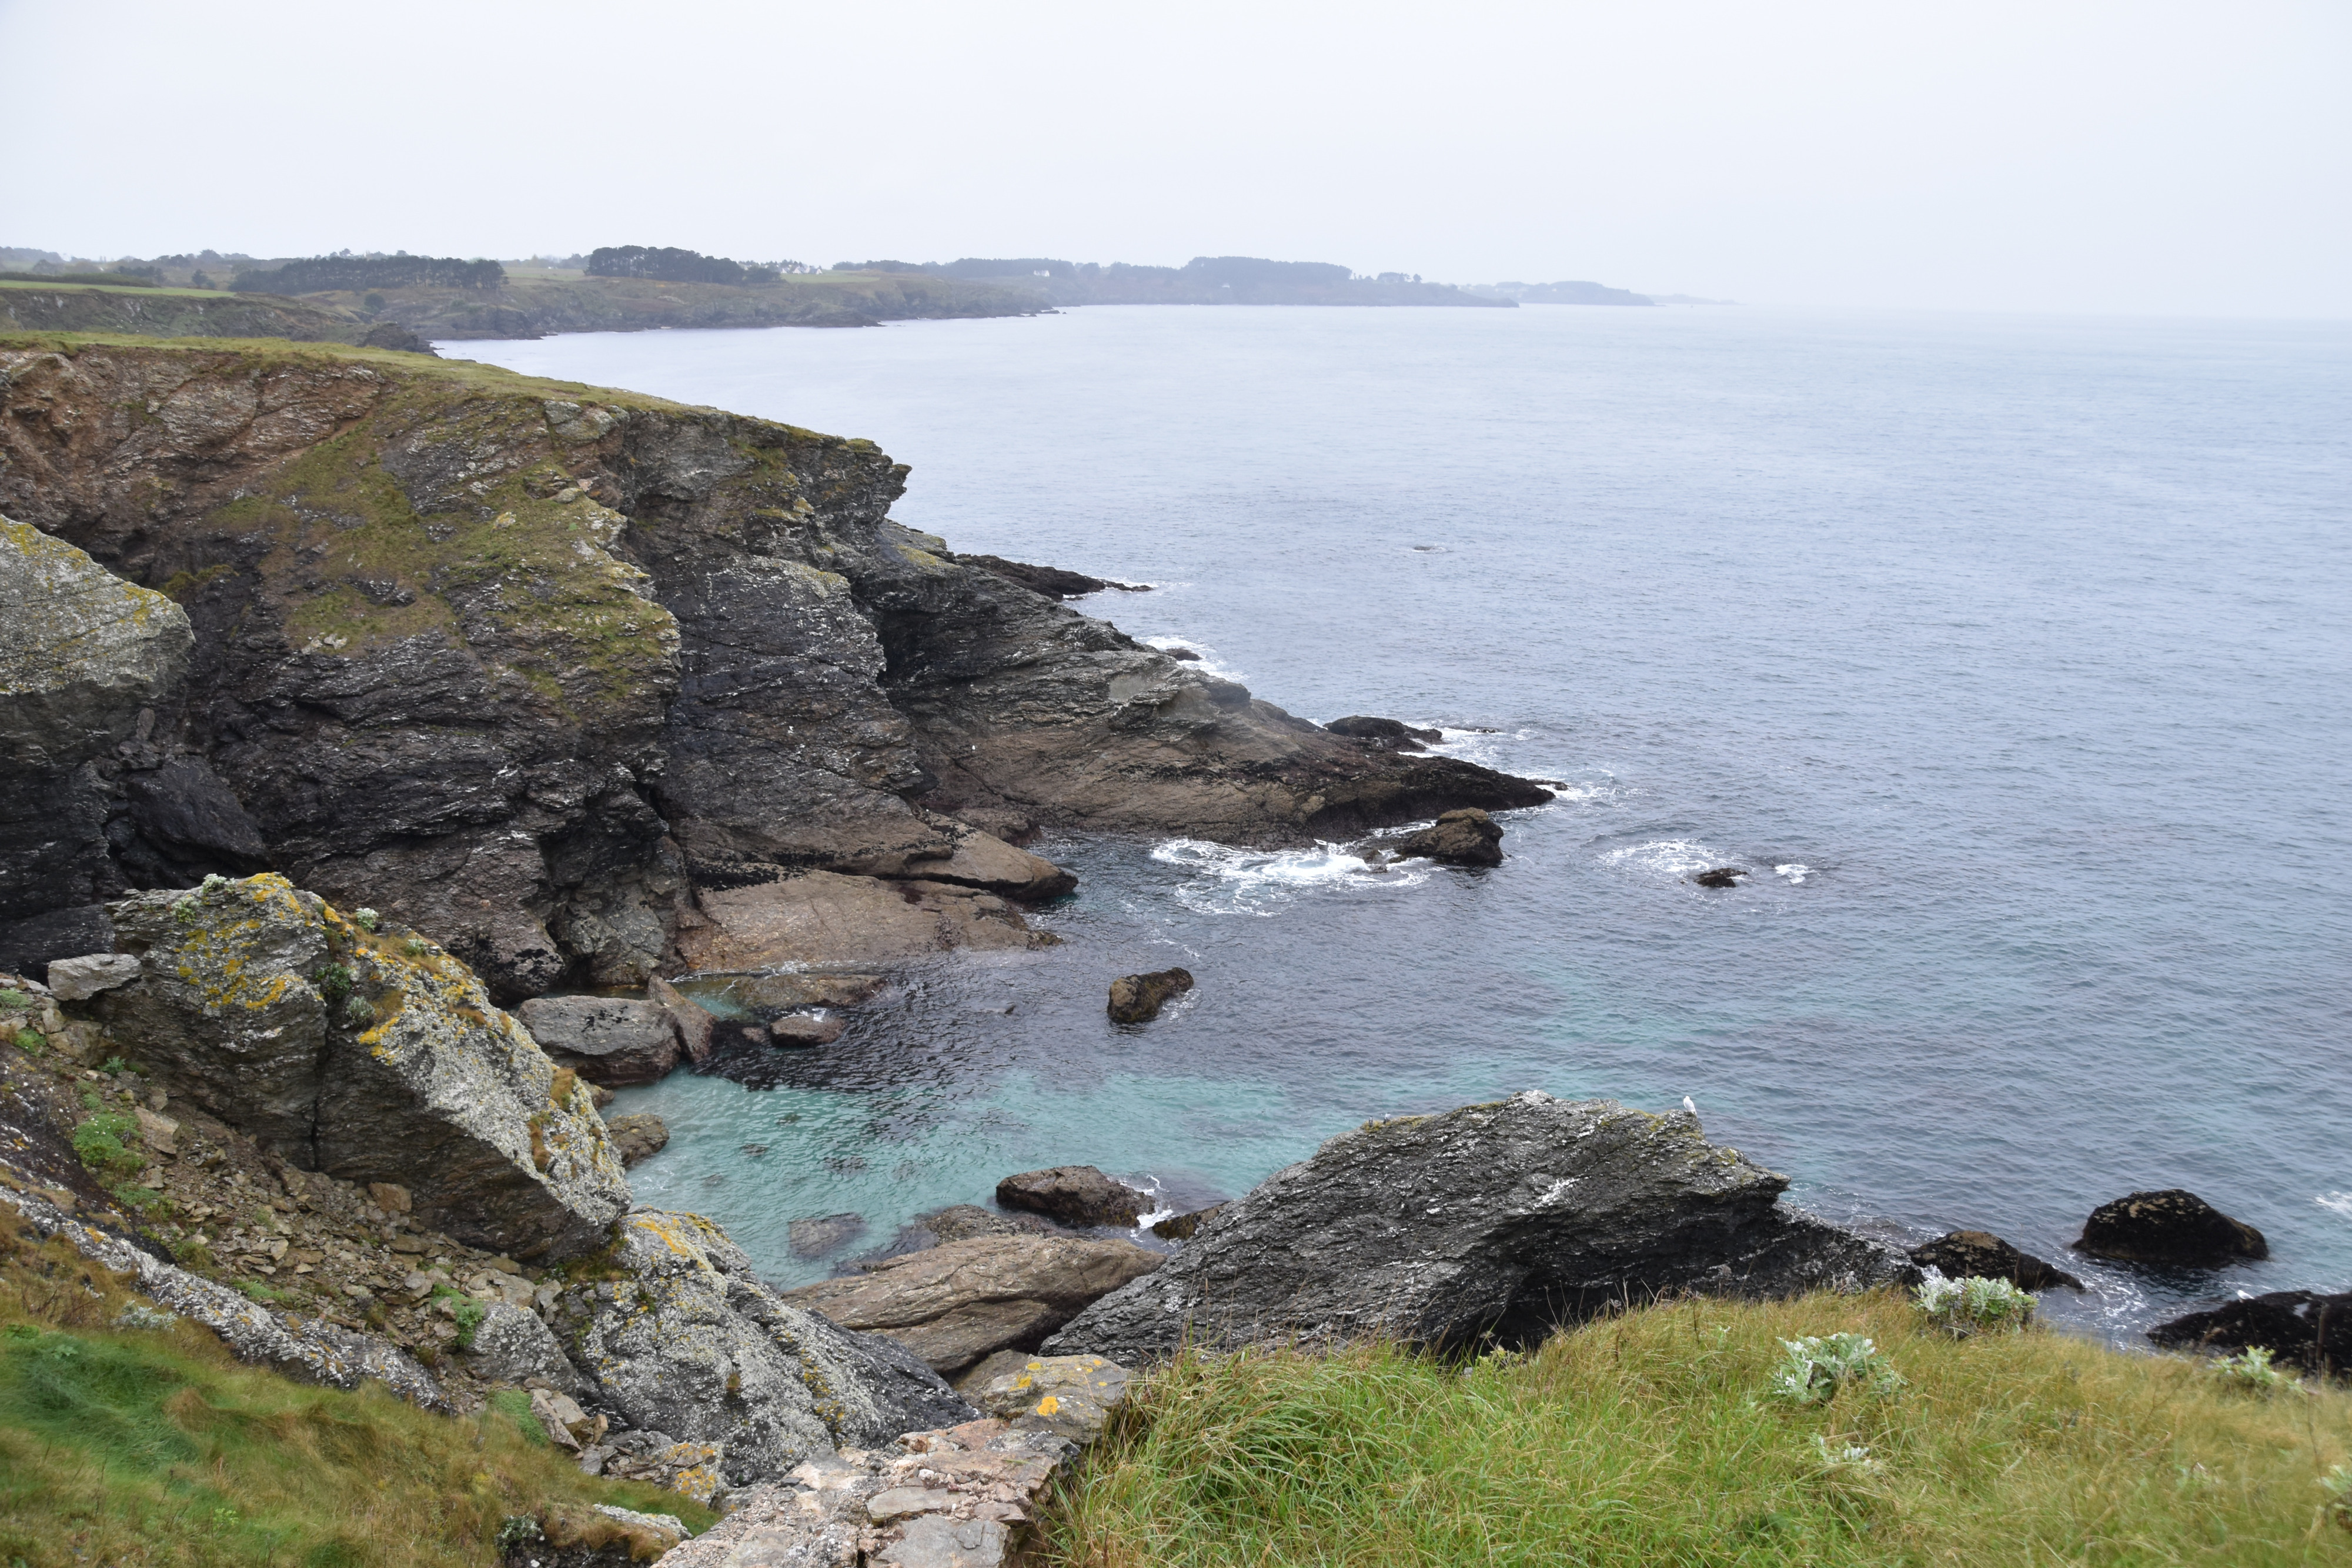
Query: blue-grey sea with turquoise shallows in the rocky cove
{"points": [[2010, 655]]}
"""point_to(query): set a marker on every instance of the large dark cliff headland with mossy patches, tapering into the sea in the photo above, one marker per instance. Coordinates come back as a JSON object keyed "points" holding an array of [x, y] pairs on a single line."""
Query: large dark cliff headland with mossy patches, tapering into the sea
{"points": [[528, 664]]}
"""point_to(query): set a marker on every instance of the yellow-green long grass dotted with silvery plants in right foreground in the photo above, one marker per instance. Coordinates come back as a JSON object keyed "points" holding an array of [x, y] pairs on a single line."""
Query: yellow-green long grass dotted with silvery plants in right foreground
{"points": [[1652, 1442]]}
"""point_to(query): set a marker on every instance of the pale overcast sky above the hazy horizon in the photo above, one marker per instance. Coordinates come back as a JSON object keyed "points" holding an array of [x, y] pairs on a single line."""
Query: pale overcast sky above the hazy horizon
{"points": [[2144, 159]]}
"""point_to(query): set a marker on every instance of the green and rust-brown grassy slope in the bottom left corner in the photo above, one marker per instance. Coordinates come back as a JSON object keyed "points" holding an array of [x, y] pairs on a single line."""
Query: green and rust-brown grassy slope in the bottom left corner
{"points": [[154, 1447]]}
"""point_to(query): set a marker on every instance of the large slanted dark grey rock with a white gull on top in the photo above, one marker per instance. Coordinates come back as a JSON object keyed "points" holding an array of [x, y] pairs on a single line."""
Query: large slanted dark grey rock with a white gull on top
{"points": [[1492, 1219]]}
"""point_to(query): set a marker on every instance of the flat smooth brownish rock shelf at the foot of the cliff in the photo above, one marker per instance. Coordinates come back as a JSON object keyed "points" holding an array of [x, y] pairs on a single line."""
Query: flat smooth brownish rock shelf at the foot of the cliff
{"points": [[824, 918]]}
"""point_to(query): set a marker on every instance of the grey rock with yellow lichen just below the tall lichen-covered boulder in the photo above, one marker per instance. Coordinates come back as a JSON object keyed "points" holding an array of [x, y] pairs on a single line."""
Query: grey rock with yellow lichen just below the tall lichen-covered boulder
{"points": [[690, 1343]]}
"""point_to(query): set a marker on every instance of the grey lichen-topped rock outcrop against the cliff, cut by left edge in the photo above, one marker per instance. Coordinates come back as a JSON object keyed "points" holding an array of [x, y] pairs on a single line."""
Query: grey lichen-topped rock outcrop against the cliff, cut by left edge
{"points": [[81, 657]]}
